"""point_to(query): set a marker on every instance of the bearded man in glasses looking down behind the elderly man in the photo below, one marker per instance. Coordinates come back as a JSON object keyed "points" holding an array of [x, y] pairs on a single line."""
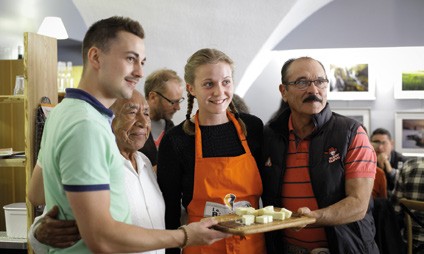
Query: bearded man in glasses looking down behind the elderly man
{"points": [[163, 90]]}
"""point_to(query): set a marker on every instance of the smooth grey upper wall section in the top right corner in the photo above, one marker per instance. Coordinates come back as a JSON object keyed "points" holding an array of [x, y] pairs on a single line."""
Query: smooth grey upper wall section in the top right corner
{"points": [[360, 23]]}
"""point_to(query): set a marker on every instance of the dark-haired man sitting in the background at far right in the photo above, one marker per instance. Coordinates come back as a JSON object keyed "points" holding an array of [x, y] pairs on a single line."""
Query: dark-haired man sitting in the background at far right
{"points": [[387, 158]]}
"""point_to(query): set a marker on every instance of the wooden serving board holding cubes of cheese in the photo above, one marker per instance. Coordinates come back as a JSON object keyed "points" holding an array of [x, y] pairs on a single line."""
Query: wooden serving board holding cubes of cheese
{"points": [[231, 223]]}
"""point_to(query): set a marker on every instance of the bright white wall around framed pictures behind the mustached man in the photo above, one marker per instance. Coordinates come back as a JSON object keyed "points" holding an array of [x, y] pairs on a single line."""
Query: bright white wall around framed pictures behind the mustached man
{"points": [[385, 68]]}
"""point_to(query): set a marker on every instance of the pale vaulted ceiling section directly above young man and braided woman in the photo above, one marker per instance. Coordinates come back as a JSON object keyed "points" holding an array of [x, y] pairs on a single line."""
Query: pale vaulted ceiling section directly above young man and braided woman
{"points": [[176, 29]]}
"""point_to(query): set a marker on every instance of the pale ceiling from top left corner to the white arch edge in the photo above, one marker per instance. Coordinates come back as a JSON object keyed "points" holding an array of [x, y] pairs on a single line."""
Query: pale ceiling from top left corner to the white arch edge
{"points": [[244, 29]]}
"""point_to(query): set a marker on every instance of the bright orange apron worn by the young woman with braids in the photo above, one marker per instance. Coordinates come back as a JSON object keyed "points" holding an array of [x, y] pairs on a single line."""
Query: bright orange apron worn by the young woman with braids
{"points": [[217, 177]]}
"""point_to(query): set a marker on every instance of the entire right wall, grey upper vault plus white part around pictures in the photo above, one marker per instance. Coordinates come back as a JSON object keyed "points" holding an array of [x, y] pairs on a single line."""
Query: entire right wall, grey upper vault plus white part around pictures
{"points": [[373, 31]]}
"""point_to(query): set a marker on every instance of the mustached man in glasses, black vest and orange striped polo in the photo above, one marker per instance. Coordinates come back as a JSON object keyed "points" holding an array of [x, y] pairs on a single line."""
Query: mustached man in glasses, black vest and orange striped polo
{"points": [[320, 164]]}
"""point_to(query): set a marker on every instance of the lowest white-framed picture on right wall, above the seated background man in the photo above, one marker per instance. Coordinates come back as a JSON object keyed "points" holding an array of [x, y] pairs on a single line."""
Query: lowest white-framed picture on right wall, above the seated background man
{"points": [[409, 130]]}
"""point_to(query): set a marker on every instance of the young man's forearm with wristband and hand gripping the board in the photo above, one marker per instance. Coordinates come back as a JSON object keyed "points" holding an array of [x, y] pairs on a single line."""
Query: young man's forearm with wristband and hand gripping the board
{"points": [[111, 236]]}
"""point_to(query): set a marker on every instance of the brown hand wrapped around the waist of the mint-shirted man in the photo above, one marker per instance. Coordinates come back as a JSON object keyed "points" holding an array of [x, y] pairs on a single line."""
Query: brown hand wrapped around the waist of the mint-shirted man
{"points": [[56, 233]]}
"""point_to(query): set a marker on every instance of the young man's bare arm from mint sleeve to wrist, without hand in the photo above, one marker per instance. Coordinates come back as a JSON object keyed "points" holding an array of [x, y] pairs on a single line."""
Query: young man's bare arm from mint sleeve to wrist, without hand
{"points": [[103, 234]]}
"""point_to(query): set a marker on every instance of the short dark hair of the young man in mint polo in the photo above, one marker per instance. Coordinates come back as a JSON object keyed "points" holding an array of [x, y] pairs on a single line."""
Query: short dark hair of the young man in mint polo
{"points": [[105, 30]]}
